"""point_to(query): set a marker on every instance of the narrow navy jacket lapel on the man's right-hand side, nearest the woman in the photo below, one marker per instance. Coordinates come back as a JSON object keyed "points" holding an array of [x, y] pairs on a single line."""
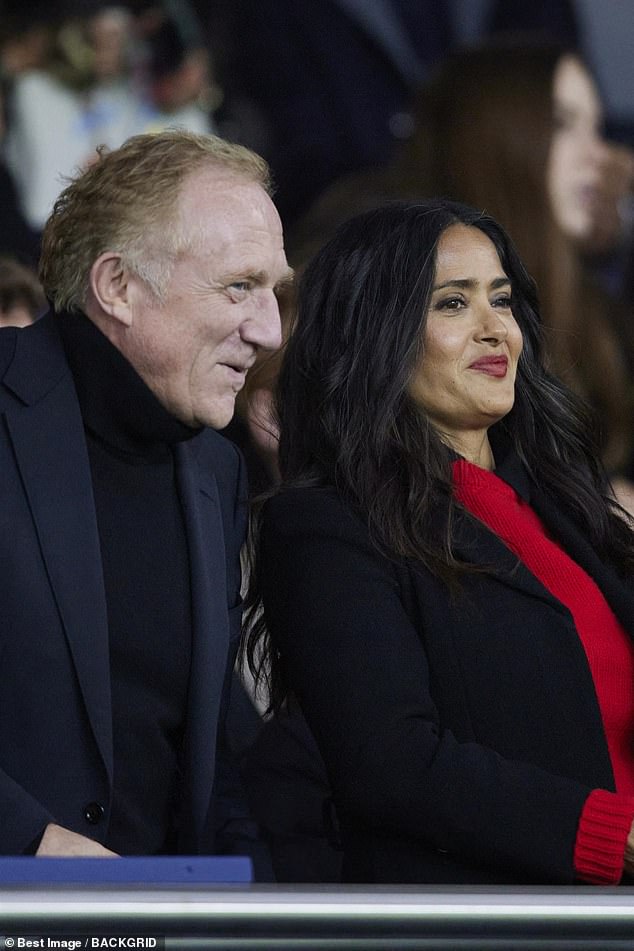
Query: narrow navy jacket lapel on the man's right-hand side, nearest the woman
{"points": [[210, 634]]}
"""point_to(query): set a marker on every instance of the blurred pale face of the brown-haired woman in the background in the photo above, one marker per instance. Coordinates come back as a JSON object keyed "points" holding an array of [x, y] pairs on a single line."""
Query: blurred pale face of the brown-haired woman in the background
{"points": [[578, 154]]}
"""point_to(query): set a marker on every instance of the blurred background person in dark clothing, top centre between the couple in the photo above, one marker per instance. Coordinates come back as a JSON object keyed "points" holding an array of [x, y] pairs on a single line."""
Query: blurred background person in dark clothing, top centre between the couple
{"points": [[332, 81]]}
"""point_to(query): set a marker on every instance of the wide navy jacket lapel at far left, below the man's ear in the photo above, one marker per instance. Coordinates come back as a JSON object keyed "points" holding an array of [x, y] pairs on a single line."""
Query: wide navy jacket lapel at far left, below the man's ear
{"points": [[48, 440]]}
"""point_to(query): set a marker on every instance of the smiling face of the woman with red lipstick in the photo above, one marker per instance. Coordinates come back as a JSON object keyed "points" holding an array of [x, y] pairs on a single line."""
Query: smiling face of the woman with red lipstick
{"points": [[465, 380]]}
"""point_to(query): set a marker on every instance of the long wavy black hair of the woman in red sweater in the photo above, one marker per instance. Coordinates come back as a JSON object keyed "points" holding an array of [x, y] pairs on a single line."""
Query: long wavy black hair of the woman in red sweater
{"points": [[347, 420]]}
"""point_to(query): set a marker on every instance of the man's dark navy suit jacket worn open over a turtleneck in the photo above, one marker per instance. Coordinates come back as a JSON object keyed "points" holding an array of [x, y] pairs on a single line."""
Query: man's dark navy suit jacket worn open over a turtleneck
{"points": [[55, 714]]}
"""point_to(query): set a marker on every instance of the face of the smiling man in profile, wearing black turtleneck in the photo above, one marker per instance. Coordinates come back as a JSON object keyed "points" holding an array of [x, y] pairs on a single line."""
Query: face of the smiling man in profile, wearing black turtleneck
{"points": [[194, 348]]}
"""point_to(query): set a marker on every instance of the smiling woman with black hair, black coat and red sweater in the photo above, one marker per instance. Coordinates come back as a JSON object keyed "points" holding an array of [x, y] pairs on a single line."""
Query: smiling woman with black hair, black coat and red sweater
{"points": [[473, 704]]}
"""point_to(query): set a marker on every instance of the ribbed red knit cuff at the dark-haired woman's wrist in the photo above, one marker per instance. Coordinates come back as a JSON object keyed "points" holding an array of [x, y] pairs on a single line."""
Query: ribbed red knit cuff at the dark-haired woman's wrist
{"points": [[602, 834]]}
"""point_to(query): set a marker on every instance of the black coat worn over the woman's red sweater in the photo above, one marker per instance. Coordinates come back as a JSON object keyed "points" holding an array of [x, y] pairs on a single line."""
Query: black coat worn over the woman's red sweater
{"points": [[461, 736]]}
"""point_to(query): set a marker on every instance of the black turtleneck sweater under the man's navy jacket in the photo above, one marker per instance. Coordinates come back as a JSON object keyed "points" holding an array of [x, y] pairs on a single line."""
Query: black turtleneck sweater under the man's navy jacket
{"points": [[131, 440]]}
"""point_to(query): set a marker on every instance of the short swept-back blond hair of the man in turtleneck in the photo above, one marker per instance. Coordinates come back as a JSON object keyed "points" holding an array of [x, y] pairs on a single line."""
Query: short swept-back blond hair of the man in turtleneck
{"points": [[127, 202]]}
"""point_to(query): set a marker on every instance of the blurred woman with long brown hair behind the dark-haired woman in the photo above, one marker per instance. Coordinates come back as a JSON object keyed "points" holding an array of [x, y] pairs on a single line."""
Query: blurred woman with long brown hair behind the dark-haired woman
{"points": [[518, 130]]}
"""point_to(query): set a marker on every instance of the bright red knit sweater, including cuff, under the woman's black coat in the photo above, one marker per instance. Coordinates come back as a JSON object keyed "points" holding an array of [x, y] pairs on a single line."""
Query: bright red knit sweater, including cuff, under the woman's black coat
{"points": [[606, 817]]}
